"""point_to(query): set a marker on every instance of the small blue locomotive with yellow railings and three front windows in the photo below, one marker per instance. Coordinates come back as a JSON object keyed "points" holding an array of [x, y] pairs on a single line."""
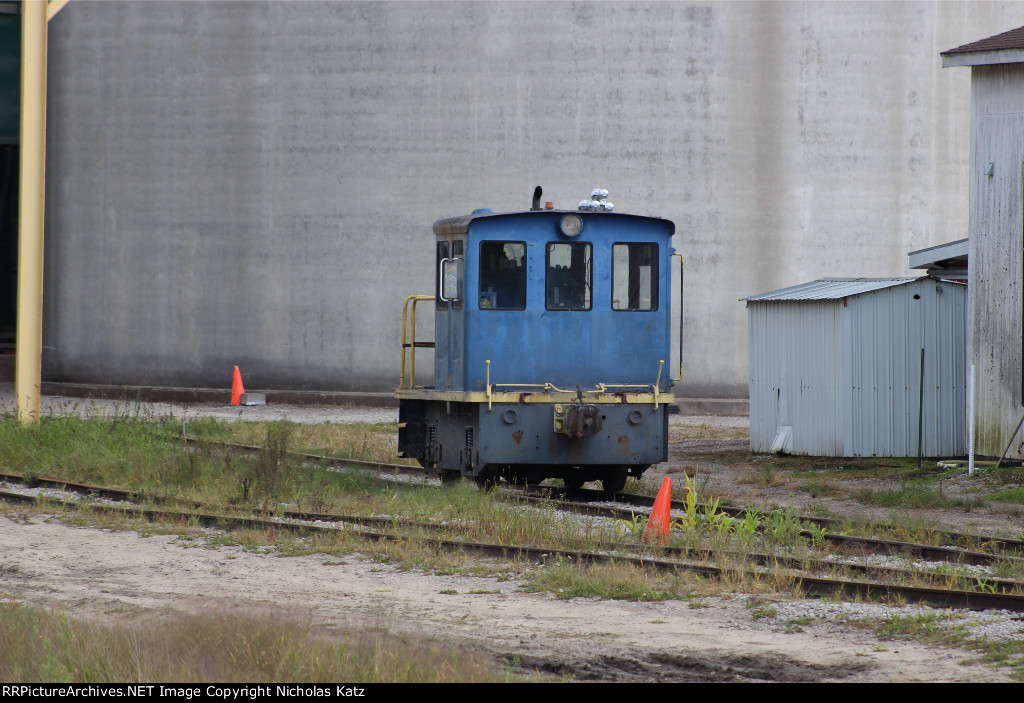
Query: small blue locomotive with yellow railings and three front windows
{"points": [[552, 331]]}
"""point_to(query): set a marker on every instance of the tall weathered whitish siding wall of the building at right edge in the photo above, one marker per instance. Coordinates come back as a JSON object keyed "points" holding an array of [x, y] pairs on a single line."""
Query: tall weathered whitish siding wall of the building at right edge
{"points": [[997, 232]]}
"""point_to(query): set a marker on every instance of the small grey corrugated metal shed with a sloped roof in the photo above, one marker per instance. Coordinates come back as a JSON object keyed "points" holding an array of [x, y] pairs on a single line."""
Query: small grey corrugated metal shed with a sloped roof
{"points": [[836, 370]]}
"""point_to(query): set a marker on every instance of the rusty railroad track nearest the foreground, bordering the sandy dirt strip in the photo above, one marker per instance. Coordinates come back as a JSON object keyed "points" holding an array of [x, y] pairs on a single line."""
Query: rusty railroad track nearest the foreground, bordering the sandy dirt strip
{"points": [[961, 591]]}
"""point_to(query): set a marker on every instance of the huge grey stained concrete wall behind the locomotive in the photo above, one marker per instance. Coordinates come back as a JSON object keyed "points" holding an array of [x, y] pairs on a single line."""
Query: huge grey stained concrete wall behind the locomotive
{"points": [[254, 184]]}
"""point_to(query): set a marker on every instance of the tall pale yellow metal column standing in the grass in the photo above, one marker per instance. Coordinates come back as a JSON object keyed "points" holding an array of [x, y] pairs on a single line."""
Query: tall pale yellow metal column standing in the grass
{"points": [[29, 340]]}
